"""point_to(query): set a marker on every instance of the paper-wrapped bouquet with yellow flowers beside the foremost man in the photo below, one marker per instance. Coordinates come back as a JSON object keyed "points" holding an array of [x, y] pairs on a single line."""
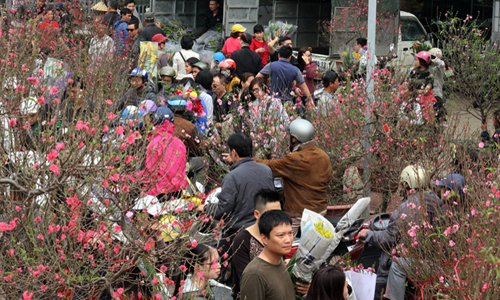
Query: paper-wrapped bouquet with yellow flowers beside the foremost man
{"points": [[319, 239]]}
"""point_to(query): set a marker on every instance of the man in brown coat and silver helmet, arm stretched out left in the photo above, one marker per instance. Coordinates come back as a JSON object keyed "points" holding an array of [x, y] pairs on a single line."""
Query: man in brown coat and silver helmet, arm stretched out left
{"points": [[306, 173]]}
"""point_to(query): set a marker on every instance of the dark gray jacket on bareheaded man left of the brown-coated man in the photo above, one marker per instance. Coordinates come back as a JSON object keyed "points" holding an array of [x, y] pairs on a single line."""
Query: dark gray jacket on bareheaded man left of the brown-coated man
{"points": [[239, 187]]}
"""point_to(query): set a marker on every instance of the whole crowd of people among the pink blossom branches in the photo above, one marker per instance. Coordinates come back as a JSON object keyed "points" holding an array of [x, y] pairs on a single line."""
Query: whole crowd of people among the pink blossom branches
{"points": [[258, 84]]}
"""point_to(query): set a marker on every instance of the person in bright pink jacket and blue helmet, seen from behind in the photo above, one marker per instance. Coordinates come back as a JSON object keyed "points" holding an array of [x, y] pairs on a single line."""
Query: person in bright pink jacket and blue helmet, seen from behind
{"points": [[165, 171]]}
